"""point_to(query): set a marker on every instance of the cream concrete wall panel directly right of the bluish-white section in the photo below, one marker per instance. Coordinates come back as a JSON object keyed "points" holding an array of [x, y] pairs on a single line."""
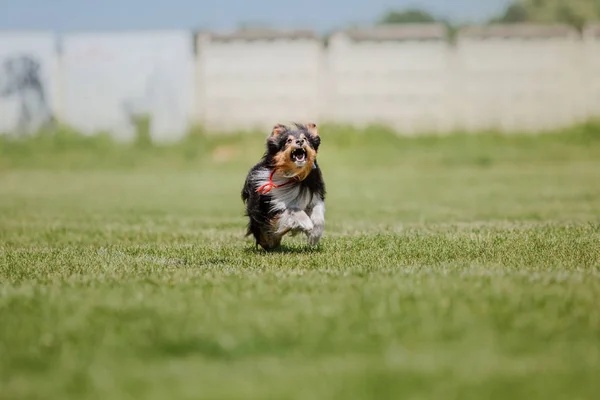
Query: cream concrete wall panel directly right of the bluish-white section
{"points": [[254, 79]]}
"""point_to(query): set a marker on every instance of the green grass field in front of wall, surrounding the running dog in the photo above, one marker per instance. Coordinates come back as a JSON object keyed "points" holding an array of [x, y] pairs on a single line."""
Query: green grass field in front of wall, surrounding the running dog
{"points": [[461, 267]]}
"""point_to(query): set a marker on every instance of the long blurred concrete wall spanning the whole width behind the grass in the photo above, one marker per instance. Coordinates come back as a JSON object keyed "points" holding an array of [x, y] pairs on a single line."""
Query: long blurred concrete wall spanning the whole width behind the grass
{"points": [[513, 78]]}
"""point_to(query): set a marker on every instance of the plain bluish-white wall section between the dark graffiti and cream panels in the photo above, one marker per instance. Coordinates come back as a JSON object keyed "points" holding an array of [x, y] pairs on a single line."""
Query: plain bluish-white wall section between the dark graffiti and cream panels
{"points": [[109, 79]]}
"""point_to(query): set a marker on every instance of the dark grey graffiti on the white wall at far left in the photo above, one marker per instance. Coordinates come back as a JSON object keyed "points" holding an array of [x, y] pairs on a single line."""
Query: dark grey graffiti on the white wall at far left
{"points": [[22, 85]]}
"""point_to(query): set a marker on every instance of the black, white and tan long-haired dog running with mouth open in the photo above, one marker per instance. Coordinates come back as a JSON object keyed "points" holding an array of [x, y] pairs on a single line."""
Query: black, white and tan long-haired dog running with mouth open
{"points": [[285, 192]]}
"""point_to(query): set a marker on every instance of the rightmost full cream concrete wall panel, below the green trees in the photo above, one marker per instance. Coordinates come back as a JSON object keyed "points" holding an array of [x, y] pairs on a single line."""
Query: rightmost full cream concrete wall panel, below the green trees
{"points": [[519, 77]]}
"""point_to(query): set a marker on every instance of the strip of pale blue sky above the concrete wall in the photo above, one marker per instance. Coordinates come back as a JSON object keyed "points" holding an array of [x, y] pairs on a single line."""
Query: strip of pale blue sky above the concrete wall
{"points": [[321, 15]]}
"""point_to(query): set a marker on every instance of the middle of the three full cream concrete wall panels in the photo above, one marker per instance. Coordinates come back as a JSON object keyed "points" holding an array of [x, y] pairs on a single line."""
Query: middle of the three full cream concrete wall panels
{"points": [[399, 76]]}
